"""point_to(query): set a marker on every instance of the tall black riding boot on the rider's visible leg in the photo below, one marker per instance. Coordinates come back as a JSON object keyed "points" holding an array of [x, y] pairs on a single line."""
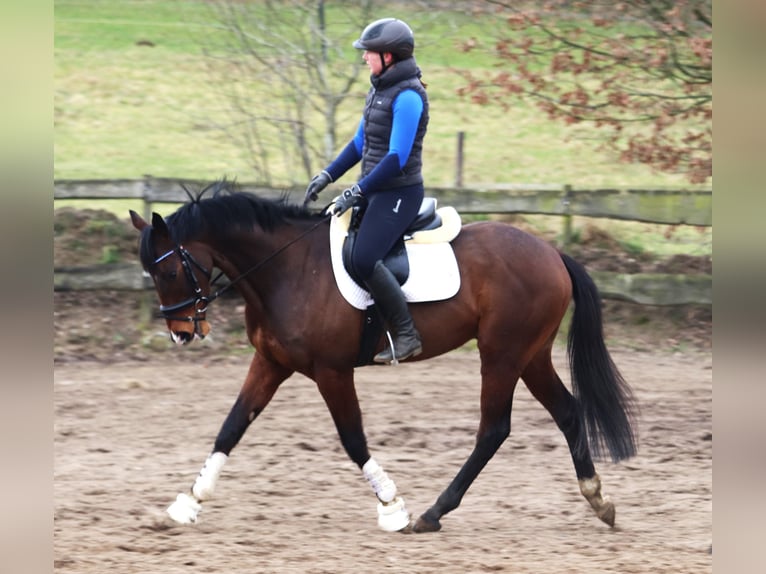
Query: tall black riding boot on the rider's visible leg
{"points": [[389, 298]]}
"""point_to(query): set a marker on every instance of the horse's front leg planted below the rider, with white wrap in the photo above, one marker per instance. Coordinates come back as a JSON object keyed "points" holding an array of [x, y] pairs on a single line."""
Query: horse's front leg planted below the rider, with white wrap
{"points": [[339, 393]]}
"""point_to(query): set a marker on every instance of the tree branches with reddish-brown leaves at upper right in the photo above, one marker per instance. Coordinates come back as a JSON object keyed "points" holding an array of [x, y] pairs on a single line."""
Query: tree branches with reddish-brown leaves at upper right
{"points": [[640, 70]]}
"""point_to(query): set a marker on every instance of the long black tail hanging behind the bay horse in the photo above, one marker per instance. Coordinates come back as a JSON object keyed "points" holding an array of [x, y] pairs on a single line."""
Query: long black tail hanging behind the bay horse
{"points": [[606, 402]]}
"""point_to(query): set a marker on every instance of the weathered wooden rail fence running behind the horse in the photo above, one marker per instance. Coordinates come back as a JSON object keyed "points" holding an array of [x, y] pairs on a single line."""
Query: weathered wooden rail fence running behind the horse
{"points": [[669, 207]]}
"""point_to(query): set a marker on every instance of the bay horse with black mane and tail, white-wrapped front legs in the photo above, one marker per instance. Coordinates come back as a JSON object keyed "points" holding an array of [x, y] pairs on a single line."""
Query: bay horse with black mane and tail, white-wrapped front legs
{"points": [[515, 290]]}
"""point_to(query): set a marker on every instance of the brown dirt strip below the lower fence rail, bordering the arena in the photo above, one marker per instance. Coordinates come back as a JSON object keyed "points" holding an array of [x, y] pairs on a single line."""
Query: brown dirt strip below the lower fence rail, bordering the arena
{"points": [[120, 325]]}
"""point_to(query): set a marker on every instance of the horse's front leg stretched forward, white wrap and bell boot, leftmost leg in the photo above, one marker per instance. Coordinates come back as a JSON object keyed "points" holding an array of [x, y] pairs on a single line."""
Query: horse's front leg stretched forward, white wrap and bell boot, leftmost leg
{"points": [[263, 379]]}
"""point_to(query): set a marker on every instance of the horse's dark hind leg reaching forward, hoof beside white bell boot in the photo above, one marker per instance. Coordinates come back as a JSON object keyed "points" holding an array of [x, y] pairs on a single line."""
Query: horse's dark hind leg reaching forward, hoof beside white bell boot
{"points": [[498, 383]]}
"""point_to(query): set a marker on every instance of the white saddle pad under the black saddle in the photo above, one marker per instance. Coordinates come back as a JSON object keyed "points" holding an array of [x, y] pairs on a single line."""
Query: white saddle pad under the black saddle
{"points": [[434, 275]]}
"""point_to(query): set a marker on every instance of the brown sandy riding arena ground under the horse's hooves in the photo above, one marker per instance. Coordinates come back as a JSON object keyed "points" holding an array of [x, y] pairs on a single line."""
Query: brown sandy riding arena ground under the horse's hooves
{"points": [[129, 436]]}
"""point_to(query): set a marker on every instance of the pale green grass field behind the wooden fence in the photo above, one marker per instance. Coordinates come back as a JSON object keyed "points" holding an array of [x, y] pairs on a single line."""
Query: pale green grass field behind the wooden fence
{"points": [[132, 96]]}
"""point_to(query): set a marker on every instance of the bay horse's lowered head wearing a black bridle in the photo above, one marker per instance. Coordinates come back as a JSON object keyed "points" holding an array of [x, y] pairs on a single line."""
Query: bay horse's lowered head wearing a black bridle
{"points": [[181, 275]]}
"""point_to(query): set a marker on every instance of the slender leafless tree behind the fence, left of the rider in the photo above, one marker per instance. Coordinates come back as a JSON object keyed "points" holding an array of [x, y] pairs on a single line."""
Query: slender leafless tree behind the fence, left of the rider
{"points": [[285, 77]]}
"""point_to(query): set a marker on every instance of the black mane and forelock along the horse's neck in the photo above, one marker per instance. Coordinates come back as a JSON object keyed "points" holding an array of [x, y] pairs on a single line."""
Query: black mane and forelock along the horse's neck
{"points": [[226, 209]]}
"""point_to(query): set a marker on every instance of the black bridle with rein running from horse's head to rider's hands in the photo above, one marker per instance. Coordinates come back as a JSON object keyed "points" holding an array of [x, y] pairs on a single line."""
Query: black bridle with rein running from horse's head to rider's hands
{"points": [[201, 302]]}
